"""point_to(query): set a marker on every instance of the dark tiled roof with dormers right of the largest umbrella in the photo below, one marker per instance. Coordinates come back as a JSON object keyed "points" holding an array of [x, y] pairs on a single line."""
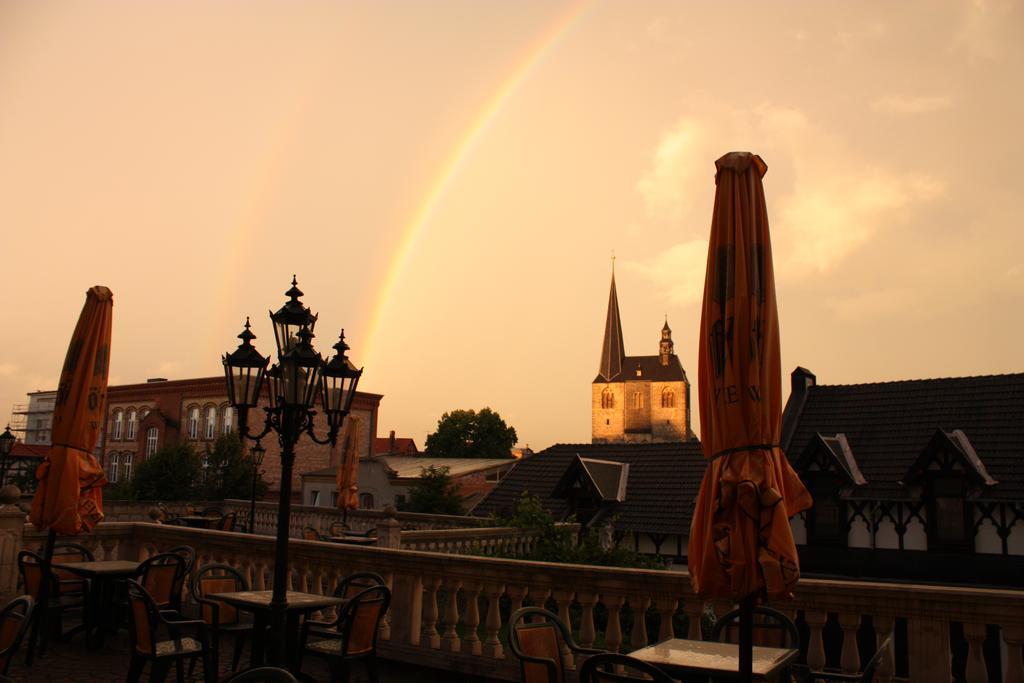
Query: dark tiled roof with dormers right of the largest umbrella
{"points": [[889, 425]]}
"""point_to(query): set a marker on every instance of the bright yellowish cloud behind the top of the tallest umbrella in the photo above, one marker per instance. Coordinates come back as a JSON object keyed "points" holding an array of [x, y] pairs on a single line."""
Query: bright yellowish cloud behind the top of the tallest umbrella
{"points": [[827, 200]]}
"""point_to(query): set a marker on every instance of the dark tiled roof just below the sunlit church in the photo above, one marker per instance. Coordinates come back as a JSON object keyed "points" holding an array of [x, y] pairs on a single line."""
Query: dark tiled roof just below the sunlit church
{"points": [[663, 484]]}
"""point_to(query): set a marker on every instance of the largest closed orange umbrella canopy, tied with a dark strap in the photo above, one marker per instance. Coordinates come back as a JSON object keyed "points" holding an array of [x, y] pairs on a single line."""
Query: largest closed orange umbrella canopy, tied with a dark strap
{"points": [[741, 542]]}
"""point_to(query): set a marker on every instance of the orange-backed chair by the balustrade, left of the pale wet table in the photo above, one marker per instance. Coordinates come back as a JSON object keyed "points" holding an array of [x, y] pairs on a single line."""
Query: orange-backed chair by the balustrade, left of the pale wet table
{"points": [[539, 646]]}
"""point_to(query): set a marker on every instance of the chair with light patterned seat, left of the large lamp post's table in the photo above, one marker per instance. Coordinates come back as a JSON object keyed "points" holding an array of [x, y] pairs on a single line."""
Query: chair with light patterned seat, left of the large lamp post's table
{"points": [[147, 620]]}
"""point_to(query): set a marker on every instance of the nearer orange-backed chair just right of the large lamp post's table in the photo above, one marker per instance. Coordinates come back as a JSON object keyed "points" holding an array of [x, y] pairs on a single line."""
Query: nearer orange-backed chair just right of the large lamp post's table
{"points": [[355, 637]]}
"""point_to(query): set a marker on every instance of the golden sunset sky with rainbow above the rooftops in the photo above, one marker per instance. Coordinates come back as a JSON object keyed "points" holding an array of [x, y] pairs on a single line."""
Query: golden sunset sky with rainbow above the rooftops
{"points": [[449, 181]]}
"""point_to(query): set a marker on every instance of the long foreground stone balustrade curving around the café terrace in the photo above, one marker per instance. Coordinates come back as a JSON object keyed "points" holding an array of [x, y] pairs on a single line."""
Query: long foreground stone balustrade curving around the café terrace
{"points": [[451, 612]]}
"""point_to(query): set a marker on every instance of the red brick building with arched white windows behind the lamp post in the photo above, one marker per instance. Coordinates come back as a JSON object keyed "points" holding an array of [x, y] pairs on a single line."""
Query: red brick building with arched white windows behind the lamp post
{"points": [[142, 418]]}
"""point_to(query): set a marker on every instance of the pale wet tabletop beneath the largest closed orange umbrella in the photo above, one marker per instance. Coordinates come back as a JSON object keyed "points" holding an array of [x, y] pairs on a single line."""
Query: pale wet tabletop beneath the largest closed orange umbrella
{"points": [[703, 659]]}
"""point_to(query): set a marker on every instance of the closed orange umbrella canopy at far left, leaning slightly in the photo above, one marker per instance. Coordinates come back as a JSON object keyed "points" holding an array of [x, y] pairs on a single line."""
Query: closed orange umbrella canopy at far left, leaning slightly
{"points": [[70, 498]]}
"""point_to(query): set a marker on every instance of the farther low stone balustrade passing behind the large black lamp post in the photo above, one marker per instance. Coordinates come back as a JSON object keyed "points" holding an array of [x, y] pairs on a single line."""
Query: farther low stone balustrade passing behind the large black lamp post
{"points": [[359, 521]]}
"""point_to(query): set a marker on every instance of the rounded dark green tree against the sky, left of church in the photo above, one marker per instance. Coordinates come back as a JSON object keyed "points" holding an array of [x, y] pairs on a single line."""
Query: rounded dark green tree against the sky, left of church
{"points": [[472, 435]]}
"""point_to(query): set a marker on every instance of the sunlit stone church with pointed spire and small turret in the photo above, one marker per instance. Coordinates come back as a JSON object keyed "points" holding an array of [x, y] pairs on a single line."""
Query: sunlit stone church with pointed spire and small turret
{"points": [[638, 399]]}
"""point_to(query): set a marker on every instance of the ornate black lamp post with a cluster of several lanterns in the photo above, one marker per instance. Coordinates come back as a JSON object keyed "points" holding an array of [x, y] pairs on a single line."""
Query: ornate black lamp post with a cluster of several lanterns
{"points": [[296, 379]]}
